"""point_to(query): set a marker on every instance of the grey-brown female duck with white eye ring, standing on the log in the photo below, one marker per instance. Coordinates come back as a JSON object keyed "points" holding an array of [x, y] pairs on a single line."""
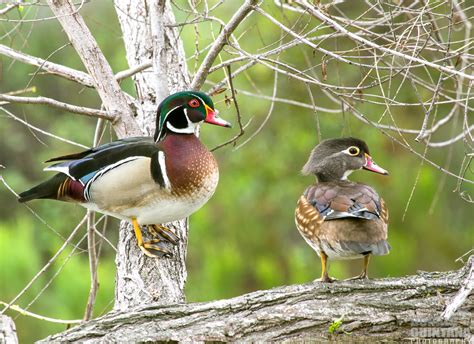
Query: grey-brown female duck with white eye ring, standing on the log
{"points": [[338, 218]]}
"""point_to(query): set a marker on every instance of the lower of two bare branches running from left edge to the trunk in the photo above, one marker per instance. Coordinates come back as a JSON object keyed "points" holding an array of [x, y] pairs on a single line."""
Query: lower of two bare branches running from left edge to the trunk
{"points": [[57, 104]]}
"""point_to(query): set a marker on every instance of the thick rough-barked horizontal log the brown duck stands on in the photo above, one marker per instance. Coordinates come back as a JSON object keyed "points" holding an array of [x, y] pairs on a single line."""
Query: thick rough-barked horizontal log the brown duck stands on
{"points": [[390, 310]]}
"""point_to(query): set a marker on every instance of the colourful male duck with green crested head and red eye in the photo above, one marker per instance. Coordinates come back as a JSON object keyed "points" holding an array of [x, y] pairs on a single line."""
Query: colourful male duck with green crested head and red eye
{"points": [[142, 180]]}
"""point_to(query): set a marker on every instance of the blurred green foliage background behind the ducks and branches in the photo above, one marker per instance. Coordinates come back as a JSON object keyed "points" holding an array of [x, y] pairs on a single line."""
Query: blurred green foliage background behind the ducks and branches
{"points": [[244, 239]]}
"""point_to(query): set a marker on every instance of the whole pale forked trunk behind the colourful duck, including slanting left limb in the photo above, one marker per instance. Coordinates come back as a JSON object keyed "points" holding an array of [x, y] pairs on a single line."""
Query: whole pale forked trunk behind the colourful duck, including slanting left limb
{"points": [[147, 38]]}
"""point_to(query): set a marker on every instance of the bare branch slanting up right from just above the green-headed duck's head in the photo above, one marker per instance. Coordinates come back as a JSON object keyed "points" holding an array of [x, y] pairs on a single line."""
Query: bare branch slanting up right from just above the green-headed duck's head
{"points": [[219, 43]]}
